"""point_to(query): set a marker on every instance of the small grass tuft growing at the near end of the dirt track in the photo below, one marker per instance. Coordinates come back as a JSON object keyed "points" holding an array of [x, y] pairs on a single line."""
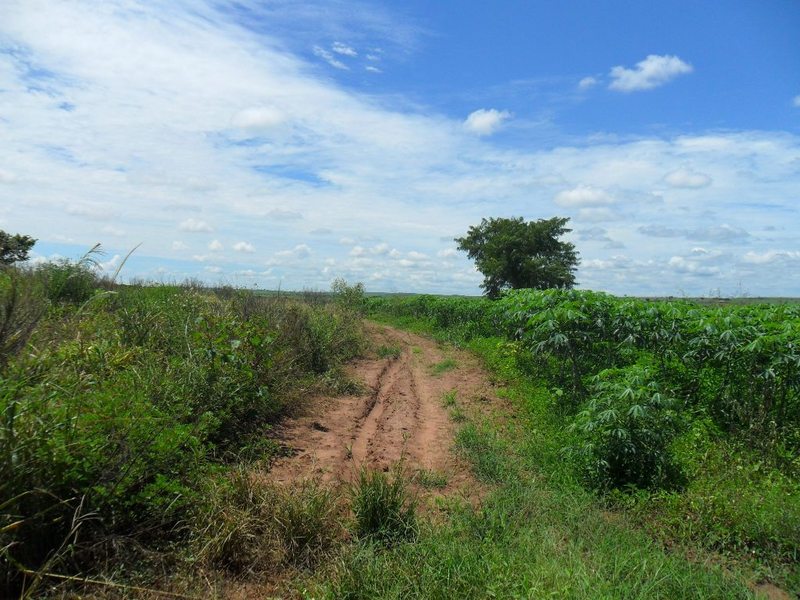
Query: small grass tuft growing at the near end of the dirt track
{"points": [[383, 509]]}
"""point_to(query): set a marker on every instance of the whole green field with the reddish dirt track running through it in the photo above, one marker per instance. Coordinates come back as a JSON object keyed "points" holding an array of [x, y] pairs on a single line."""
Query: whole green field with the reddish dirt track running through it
{"points": [[220, 443]]}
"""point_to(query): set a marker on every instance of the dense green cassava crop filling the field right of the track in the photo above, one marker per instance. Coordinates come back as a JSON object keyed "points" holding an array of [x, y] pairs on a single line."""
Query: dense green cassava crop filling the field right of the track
{"points": [[714, 441]]}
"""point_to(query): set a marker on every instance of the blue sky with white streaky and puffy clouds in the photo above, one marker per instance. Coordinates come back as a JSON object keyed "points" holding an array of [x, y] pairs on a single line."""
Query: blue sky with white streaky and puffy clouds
{"points": [[277, 143]]}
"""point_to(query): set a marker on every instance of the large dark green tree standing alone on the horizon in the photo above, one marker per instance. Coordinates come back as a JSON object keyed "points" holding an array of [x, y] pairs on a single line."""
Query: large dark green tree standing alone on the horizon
{"points": [[514, 253]]}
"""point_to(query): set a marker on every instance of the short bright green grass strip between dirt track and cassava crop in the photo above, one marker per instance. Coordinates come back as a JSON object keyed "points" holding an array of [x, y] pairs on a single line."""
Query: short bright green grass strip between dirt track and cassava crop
{"points": [[538, 533]]}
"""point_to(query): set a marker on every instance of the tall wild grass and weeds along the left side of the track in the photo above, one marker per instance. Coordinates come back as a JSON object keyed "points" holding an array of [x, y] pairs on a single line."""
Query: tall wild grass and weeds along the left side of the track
{"points": [[119, 407]]}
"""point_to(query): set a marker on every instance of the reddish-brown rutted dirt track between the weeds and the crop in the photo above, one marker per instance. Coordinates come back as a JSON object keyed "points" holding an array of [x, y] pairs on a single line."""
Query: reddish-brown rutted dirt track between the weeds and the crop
{"points": [[401, 414]]}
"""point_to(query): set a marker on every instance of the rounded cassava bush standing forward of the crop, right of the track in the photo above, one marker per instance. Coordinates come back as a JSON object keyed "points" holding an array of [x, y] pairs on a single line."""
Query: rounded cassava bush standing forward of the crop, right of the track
{"points": [[625, 431]]}
